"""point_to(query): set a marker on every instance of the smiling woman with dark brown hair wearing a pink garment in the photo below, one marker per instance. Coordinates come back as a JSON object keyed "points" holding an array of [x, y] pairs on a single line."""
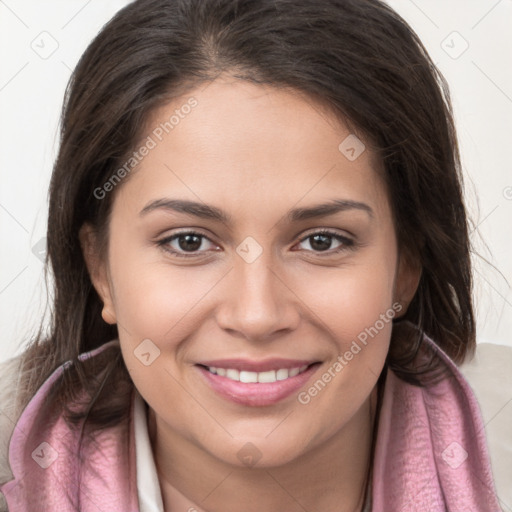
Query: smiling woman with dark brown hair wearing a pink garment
{"points": [[262, 272]]}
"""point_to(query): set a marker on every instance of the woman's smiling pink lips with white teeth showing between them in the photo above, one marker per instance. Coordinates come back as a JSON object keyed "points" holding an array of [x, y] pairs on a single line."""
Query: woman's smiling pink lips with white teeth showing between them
{"points": [[256, 383]]}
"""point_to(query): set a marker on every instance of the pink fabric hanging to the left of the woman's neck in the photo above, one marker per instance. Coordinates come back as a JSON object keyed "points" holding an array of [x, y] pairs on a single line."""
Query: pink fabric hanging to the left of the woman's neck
{"points": [[44, 459]]}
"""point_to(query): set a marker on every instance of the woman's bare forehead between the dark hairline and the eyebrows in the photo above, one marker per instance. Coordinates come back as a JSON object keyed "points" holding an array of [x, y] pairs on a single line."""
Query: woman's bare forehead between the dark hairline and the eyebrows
{"points": [[252, 148]]}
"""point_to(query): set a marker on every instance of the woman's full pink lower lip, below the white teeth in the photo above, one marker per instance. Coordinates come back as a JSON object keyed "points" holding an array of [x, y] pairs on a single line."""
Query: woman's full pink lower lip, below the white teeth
{"points": [[257, 394]]}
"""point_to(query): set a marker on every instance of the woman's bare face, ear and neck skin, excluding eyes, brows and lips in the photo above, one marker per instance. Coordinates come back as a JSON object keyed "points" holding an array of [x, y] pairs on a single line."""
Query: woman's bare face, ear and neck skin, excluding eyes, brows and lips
{"points": [[255, 152]]}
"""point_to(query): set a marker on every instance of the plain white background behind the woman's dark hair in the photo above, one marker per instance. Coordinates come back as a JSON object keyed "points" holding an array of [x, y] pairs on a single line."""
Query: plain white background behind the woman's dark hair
{"points": [[469, 40]]}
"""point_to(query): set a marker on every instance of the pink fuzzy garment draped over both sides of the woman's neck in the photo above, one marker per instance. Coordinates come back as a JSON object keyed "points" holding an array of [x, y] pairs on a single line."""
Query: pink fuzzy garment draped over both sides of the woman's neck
{"points": [[431, 454]]}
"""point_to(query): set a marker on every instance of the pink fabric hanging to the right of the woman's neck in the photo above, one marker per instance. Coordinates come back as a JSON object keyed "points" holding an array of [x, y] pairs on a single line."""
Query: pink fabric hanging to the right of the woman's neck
{"points": [[431, 453]]}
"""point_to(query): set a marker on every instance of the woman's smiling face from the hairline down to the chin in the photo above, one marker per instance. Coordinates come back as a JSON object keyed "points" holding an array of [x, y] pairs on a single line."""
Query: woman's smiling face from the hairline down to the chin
{"points": [[255, 174]]}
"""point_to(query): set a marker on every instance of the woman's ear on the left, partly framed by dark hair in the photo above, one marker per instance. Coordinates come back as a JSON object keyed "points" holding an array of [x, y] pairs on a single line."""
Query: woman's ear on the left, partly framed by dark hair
{"points": [[98, 271]]}
